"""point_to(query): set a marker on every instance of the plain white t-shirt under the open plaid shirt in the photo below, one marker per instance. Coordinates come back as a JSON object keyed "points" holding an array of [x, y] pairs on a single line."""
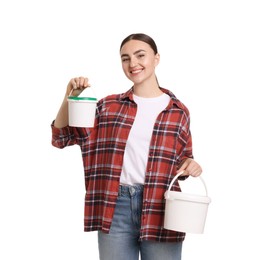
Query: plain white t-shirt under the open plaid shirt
{"points": [[137, 146]]}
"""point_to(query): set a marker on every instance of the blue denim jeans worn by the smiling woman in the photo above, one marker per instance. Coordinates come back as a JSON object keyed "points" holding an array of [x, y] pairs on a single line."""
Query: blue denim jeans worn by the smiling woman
{"points": [[122, 243]]}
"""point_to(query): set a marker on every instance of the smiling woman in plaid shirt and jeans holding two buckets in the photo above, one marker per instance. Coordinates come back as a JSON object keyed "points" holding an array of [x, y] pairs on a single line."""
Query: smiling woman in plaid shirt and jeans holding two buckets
{"points": [[141, 139]]}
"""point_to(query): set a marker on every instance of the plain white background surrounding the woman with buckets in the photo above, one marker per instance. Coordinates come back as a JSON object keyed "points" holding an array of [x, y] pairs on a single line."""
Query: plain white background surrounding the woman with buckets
{"points": [[211, 58]]}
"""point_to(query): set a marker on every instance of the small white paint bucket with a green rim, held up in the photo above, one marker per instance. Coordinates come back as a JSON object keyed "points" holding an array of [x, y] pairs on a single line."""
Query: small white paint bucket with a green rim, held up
{"points": [[82, 109]]}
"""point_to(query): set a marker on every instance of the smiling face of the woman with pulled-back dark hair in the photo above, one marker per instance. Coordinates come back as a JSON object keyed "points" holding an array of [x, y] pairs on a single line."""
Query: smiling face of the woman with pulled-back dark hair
{"points": [[138, 61]]}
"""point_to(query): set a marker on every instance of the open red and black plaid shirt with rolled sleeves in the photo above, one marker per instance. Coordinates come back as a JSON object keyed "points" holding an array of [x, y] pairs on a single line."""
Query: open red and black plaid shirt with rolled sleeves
{"points": [[103, 148]]}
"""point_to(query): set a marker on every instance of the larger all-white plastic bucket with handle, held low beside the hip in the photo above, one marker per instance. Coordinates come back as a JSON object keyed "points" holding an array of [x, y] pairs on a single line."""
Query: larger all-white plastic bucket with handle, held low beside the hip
{"points": [[185, 212]]}
